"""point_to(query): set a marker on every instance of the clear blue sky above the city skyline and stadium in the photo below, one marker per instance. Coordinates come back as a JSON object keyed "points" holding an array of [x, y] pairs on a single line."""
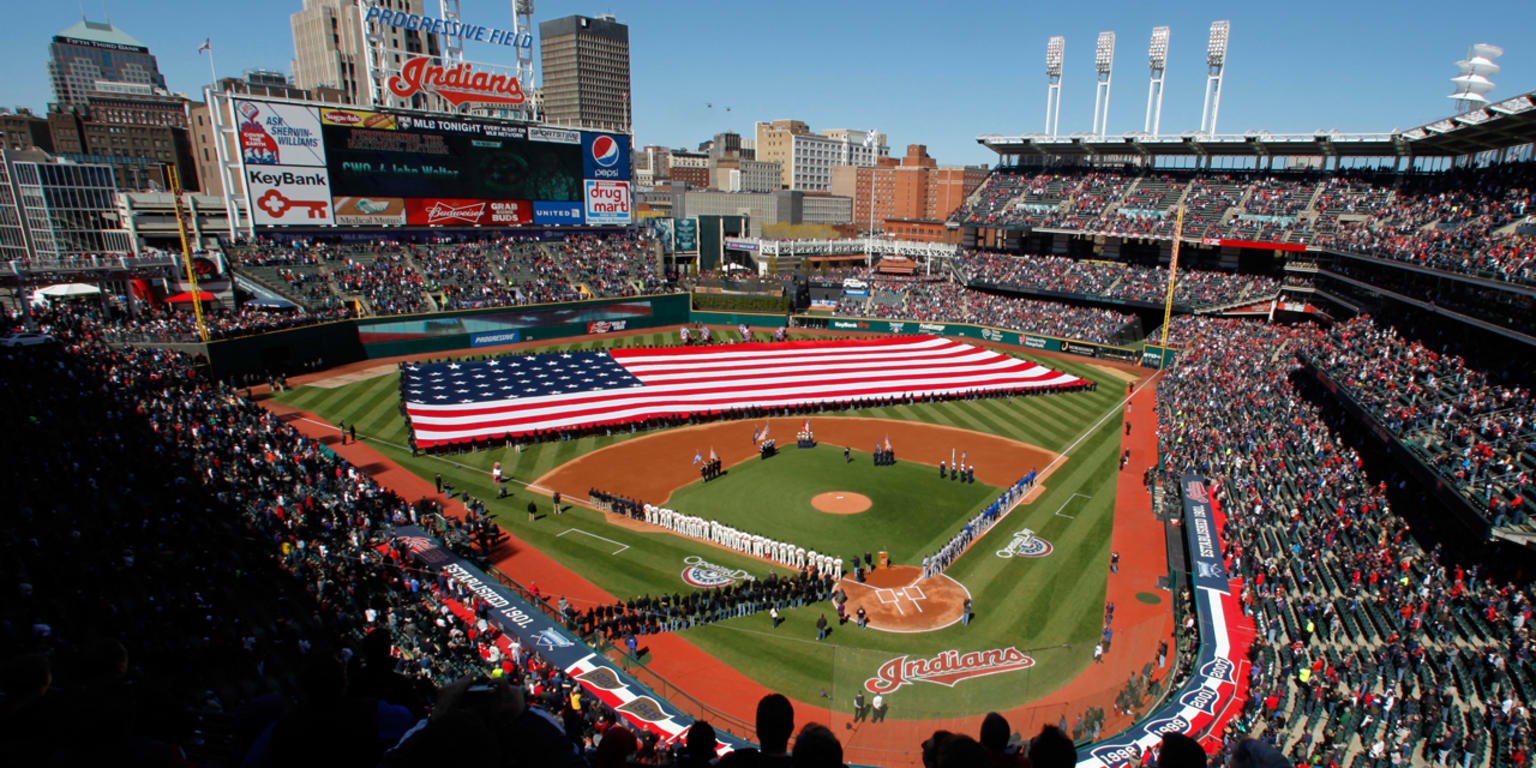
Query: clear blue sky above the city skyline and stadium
{"points": [[922, 73]]}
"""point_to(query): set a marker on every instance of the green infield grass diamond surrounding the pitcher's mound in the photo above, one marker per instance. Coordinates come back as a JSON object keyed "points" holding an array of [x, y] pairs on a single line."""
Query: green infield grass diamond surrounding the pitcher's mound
{"points": [[913, 512]]}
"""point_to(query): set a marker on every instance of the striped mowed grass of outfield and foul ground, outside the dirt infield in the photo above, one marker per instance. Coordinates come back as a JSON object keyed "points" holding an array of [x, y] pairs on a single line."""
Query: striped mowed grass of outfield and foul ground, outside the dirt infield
{"points": [[1050, 607]]}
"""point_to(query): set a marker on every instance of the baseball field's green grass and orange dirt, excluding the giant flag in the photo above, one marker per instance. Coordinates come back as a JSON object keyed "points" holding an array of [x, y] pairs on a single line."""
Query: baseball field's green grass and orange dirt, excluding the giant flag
{"points": [[1044, 601]]}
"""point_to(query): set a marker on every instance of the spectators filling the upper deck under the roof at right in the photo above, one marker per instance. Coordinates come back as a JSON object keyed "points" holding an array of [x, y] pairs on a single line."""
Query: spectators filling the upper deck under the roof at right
{"points": [[1463, 220]]}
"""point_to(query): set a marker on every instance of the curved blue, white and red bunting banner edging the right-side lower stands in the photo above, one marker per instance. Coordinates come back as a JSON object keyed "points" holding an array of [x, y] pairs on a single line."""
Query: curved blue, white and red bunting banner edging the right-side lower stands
{"points": [[1217, 689]]}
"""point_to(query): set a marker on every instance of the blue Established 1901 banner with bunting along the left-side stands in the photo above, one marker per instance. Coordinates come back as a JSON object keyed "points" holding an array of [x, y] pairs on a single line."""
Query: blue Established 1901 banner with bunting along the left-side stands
{"points": [[538, 634]]}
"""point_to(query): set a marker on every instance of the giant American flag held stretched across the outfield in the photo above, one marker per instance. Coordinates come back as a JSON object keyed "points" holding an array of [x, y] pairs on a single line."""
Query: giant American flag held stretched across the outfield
{"points": [[520, 396]]}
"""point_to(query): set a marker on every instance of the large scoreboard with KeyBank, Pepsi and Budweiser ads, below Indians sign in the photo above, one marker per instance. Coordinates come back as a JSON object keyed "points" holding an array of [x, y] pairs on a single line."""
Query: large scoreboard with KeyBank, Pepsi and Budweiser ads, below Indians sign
{"points": [[319, 165]]}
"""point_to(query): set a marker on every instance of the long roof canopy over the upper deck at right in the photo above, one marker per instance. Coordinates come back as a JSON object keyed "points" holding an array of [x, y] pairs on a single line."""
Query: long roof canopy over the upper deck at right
{"points": [[1495, 127]]}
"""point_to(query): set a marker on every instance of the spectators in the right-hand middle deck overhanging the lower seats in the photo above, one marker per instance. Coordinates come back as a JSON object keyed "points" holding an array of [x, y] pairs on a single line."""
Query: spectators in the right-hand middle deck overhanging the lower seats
{"points": [[1477, 432]]}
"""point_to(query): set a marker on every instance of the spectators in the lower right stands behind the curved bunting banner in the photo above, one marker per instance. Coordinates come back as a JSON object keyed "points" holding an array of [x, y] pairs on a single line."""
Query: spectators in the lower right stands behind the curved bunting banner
{"points": [[1369, 647]]}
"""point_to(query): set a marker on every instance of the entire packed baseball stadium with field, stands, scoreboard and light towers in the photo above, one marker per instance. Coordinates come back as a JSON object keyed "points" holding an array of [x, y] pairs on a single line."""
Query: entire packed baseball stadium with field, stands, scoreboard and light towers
{"points": [[1165, 455]]}
